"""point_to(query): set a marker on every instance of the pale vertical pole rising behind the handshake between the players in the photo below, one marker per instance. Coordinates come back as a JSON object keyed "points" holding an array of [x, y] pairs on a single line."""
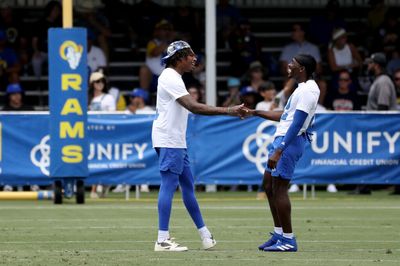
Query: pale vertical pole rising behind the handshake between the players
{"points": [[211, 37]]}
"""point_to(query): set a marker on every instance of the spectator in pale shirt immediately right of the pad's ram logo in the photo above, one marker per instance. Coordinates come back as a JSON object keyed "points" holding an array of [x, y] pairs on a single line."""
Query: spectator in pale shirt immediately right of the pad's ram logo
{"points": [[96, 58]]}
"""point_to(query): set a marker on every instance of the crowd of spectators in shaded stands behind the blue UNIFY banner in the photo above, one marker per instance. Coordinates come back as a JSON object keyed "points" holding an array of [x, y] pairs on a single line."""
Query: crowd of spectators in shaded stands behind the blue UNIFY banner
{"points": [[358, 67]]}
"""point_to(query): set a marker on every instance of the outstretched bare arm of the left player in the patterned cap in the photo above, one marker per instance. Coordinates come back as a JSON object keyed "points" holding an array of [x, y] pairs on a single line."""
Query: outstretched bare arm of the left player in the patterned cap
{"points": [[202, 109]]}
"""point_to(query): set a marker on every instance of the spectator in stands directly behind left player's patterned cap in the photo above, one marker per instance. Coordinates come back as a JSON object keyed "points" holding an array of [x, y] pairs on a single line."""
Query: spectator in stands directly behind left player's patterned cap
{"points": [[156, 49]]}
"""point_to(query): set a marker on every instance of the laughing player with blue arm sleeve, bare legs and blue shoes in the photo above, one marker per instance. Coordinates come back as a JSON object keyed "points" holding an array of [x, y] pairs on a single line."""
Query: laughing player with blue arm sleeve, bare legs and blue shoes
{"points": [[288, 146]]}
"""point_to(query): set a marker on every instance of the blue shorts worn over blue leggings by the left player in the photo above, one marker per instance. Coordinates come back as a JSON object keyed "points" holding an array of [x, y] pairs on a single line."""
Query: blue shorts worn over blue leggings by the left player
{"points": [[173, 159]]}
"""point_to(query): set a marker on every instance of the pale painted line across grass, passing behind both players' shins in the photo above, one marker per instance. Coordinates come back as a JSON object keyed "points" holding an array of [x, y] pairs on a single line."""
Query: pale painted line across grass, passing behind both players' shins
{"points": [[107, 207]]}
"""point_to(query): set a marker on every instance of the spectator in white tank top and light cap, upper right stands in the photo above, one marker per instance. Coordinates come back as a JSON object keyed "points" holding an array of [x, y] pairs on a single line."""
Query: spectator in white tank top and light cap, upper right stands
{"points": [[342, 55]]}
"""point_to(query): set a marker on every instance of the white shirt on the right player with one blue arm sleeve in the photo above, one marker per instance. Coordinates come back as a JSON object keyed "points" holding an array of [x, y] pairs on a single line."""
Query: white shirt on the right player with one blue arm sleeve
{"points": [[304, 98]]}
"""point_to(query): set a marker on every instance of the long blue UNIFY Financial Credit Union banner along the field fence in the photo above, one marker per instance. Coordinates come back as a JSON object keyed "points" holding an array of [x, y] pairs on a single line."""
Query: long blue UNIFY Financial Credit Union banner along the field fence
{"points": [[348, 148]]}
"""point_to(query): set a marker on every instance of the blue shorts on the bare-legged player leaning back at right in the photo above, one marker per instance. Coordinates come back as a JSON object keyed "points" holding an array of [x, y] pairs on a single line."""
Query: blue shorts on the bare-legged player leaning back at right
{"points": [[289, 158]]}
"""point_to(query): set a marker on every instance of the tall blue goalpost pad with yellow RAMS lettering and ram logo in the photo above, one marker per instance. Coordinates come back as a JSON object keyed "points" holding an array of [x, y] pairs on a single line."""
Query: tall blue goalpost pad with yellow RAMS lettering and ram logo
{"points": [[68, 102]]}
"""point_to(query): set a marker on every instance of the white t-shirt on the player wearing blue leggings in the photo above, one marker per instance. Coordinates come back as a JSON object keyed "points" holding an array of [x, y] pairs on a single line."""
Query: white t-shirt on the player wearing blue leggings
{"points": [[169, 127]]}
